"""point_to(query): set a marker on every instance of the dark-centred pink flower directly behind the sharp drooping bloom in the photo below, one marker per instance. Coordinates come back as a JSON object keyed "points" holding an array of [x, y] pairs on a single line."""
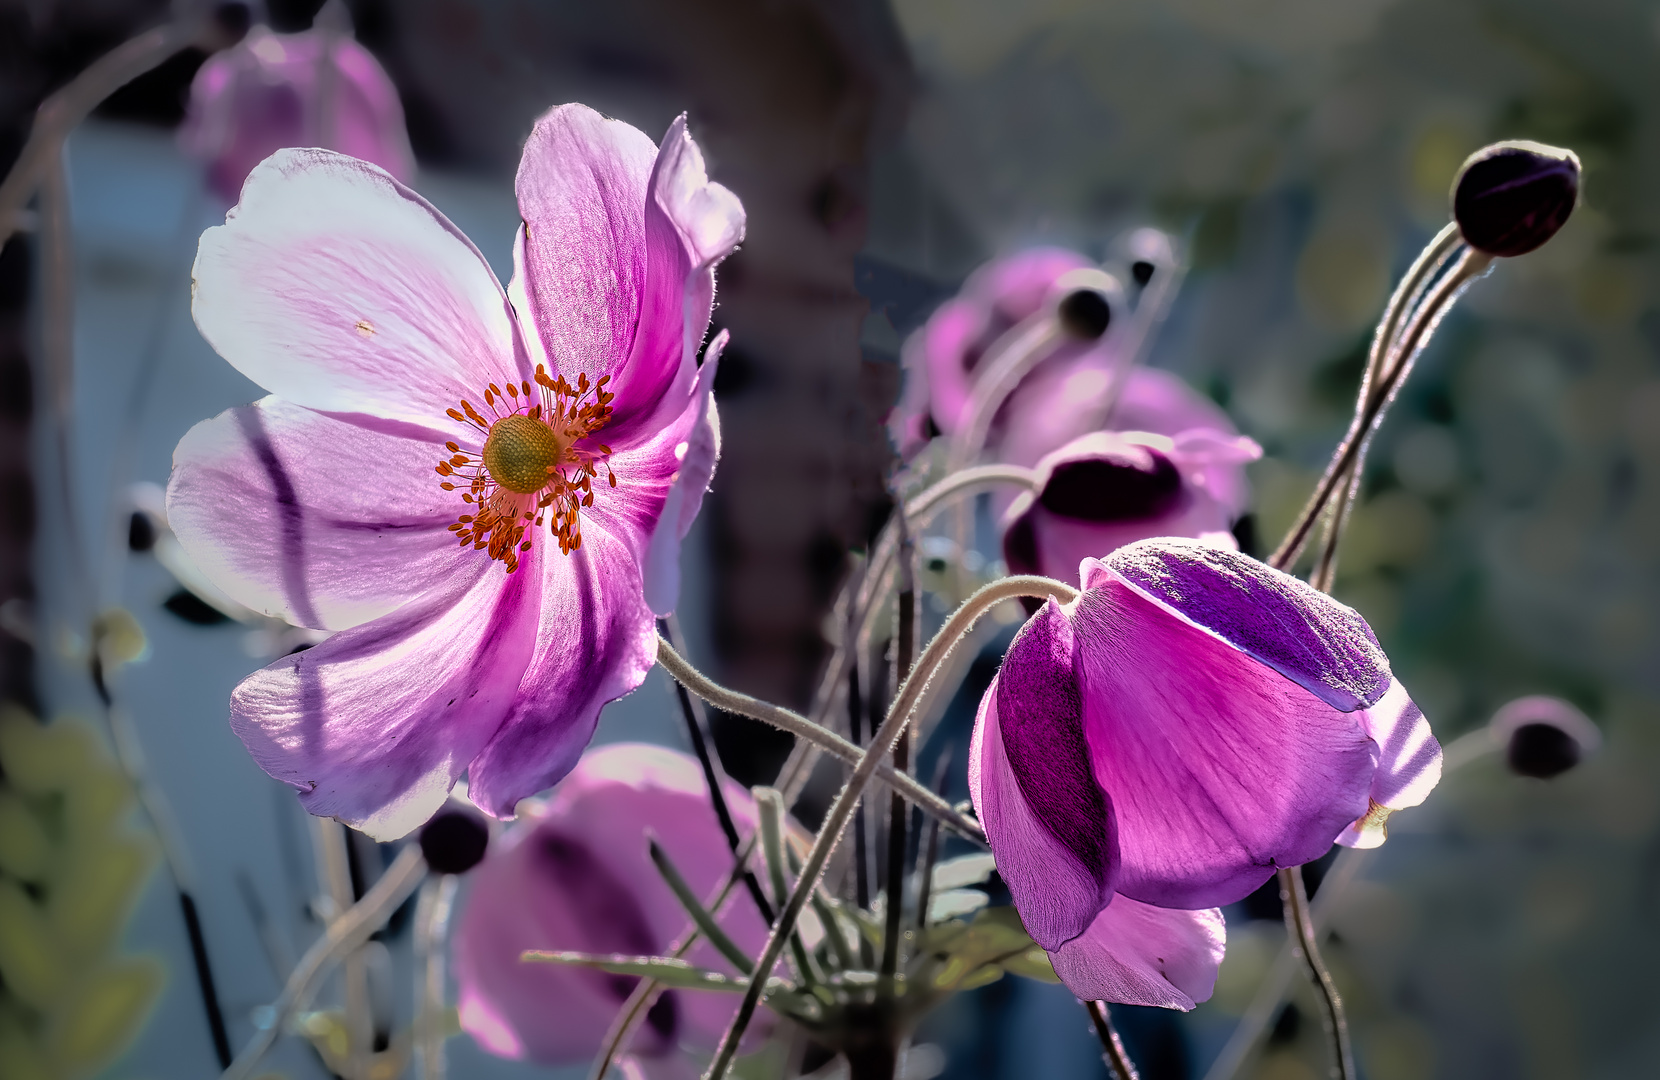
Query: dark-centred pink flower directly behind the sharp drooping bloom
{"points": [[1111, 489]]}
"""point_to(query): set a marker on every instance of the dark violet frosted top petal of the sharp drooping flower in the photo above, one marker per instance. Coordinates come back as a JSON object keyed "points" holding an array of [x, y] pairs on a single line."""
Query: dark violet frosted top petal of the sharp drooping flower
{"points": [[1274, 618]]}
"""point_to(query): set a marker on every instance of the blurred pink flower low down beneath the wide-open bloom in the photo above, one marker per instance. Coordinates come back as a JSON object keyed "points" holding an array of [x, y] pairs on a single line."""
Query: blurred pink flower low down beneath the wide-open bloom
{"points": [[577, 875]]}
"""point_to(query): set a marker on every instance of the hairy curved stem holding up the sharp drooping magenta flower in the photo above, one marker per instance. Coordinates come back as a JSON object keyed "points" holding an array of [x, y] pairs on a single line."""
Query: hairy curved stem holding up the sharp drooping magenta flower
{"points": [[907, 703]]}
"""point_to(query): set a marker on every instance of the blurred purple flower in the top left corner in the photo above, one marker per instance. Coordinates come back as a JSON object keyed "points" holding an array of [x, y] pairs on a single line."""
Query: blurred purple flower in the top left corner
{"points": [[278, 90]]}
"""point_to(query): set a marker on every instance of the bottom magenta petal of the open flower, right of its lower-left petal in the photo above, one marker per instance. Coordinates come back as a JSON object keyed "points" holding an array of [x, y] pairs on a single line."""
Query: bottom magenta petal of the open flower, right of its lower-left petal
{"points": [[597, 641]]}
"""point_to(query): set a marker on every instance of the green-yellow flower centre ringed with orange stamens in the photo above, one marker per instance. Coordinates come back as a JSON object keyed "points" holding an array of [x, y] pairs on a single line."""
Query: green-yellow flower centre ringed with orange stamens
{"points": [[537, 464]]}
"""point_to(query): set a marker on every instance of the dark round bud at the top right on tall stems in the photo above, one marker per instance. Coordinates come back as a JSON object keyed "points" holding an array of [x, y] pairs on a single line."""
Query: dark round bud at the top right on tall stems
{"points": [[1510, 198]]}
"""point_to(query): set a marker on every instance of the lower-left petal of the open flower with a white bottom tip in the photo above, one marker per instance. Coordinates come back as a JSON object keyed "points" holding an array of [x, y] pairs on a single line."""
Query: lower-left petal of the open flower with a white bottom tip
{"points": [[376, 724]]}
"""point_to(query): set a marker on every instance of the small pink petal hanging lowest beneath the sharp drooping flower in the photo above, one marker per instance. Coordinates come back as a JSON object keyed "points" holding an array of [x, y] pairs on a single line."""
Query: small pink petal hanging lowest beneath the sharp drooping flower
{"points": [[1140, 955]]}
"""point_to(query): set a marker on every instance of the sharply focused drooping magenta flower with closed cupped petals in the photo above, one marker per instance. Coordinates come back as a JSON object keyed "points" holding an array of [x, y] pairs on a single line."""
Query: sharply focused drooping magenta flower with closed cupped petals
{"points": [[1161, 746]]}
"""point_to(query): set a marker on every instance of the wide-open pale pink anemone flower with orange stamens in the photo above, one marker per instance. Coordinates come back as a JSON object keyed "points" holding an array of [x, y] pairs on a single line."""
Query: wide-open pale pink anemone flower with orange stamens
{"points": [[487, 610]]}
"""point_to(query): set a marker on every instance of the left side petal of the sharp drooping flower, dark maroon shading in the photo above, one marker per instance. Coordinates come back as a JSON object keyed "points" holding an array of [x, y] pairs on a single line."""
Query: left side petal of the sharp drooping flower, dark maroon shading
{"points": [[1050, 824]]}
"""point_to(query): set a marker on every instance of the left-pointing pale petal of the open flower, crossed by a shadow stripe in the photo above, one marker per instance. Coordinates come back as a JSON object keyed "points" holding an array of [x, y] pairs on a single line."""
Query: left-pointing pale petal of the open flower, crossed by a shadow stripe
{"points": [[311, 520]]}
